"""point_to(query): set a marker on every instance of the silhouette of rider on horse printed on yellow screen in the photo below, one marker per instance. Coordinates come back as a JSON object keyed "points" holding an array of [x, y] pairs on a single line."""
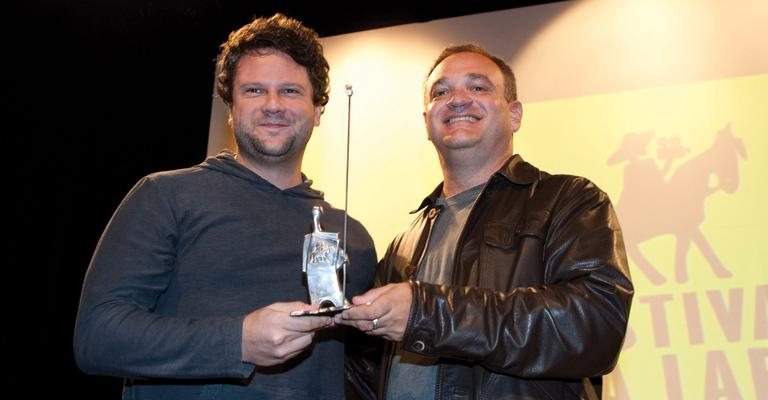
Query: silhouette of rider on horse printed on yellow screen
{"points": [[651, 205]]}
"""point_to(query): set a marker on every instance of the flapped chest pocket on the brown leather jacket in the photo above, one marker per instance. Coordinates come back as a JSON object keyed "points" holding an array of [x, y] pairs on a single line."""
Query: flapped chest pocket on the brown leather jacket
{"points": [[511, 255]]}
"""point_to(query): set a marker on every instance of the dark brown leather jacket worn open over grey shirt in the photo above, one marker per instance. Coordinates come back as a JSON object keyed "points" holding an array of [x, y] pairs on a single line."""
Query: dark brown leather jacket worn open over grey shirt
{"points": [[540, 292]]}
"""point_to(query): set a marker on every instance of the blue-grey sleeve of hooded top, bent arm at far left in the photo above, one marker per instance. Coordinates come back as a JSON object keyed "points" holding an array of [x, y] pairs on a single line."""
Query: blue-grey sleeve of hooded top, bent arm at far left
{"points": [[117, 331]]}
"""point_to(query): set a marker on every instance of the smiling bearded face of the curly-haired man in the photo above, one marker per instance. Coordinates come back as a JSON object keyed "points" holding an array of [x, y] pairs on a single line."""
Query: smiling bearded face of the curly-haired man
{"points": [[272, 110]]}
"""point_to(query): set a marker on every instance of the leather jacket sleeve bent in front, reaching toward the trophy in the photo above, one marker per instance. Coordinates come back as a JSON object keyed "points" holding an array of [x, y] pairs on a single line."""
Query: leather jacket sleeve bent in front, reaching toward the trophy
{"points": [[571, 326]]}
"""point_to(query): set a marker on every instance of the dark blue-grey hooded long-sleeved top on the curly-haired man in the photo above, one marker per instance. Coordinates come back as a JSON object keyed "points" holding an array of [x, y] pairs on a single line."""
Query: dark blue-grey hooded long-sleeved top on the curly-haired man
{"points": [[186, 255]]}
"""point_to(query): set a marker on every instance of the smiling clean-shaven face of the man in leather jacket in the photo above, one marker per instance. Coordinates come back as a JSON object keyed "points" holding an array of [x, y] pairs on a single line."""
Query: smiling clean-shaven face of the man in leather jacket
{"points": [[465, 108]]}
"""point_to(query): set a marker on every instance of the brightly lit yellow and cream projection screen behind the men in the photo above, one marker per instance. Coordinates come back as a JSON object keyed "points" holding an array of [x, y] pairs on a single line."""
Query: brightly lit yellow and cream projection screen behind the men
{"points": [[662, 104]]}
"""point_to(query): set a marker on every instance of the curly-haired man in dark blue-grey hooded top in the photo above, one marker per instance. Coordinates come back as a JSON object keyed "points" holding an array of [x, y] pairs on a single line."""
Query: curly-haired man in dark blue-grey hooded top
{"points": [[190, 289]]}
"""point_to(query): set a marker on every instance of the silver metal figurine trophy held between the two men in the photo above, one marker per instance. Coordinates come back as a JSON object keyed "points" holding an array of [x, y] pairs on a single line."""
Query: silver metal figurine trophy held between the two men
{"points": [[322, 259]]}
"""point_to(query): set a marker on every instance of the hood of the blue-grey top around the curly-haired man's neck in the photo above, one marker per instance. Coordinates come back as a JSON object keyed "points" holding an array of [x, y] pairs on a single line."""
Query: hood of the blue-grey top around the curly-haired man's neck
{"points": [[225, 163]]}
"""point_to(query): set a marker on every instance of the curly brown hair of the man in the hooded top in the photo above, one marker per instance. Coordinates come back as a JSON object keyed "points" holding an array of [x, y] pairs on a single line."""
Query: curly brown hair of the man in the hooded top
{"points": [[280, 33]]}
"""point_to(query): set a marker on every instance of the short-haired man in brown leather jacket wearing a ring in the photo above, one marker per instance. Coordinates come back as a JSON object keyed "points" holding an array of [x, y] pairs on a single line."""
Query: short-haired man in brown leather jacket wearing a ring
{"points": [[511, 283]]}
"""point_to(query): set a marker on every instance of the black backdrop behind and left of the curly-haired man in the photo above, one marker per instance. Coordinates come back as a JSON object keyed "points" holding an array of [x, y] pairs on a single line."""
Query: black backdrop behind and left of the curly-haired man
{"points": [[99, 94]]}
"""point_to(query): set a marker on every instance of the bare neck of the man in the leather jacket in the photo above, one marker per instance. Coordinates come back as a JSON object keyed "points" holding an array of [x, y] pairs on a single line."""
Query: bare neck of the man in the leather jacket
{"points": [[462, 172]]}
